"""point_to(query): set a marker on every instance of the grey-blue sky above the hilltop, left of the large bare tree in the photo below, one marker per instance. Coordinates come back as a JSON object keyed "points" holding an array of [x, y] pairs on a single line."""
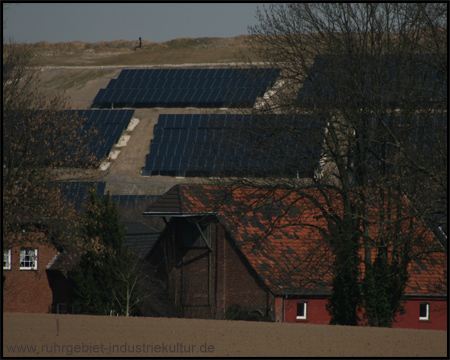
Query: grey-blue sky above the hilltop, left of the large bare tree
{"points": [[154, 22]]}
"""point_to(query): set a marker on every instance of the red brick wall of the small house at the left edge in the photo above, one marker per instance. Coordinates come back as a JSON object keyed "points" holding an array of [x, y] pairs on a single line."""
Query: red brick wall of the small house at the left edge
{"points": [[28, 290]]}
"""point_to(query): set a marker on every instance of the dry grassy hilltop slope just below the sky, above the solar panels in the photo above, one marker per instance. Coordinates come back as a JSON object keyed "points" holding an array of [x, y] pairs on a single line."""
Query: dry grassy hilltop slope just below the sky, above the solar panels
{"points": [[178, 51]]}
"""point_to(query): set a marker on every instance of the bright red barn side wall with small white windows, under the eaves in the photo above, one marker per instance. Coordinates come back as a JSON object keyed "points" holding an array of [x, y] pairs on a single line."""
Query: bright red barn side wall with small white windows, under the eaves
{"points": [[317, 313]]}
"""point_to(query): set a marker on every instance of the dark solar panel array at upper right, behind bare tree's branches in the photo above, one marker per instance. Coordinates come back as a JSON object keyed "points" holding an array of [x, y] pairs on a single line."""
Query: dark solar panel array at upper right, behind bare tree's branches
{"points": [[388, 78]]}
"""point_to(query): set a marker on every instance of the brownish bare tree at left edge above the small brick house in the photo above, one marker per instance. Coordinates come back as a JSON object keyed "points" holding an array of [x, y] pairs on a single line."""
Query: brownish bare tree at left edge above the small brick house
{"points": [[40, 143]]}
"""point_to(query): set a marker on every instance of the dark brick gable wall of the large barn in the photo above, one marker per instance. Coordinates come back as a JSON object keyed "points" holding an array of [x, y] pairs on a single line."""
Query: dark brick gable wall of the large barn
{"points": [[204, 283]]}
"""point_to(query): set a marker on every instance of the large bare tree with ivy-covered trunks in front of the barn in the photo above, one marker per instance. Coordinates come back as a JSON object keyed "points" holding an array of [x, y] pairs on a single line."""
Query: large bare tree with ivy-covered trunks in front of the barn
{"points": [[360, 110]]}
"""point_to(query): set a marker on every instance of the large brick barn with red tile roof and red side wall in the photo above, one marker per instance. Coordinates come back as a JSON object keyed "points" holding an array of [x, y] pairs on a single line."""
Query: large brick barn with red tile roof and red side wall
{"points": [[215, 253]]}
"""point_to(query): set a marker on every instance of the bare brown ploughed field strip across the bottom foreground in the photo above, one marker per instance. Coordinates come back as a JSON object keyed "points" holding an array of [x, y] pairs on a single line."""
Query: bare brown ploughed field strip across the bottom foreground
{"points": [[92, 336]]}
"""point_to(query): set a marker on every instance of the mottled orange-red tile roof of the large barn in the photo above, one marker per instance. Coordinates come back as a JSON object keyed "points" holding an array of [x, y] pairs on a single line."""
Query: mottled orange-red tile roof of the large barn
{"points": [[283, 243]]}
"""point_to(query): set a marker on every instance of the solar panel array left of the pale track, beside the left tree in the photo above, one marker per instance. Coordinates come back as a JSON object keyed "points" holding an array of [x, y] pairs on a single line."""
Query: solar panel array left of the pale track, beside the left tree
{"points": [[109, 126]]}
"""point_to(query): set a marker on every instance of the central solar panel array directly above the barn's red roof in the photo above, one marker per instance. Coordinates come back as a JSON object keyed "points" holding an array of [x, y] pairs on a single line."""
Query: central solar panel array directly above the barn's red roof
{"points": [[197, 145]]}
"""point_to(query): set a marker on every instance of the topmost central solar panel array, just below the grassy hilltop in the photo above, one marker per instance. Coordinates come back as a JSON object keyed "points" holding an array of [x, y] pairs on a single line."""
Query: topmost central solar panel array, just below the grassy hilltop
{"points": [[186, 88]]}
